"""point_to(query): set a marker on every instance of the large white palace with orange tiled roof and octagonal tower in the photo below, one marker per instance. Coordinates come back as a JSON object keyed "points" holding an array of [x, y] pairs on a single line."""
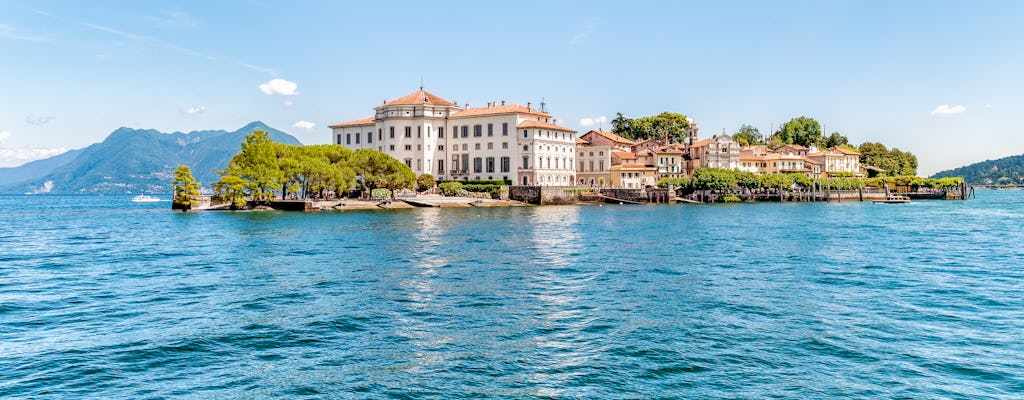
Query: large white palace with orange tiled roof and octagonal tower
{"points": [[498, 142]]}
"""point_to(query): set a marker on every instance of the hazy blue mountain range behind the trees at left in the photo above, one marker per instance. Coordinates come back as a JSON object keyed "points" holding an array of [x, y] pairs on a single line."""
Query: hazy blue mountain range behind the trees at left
{"points": [[134, 161]]}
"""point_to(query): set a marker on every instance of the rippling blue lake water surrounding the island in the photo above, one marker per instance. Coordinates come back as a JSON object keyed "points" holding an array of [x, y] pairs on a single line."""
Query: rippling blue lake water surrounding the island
{"points": [[103, 298]]}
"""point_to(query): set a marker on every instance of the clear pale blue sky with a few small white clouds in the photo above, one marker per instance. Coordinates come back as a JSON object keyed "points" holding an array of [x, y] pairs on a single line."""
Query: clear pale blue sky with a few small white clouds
{"points": [[940, 79]]}
